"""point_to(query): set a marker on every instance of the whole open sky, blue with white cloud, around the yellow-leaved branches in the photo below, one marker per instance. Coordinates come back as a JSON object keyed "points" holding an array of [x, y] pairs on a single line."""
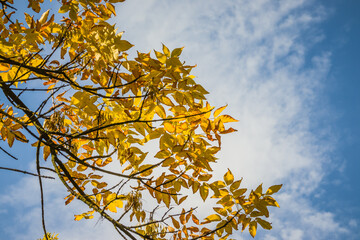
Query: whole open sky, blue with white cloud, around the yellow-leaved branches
{"points": [[290, 74]]}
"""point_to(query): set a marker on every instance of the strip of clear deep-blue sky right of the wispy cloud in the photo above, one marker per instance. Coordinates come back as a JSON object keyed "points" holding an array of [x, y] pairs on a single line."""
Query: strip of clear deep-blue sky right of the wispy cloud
{"points": [[342, 94]]}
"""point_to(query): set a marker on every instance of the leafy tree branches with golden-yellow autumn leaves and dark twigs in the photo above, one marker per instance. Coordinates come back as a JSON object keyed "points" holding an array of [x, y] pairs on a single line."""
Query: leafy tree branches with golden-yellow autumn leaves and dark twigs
{"points": [[99, 116]]}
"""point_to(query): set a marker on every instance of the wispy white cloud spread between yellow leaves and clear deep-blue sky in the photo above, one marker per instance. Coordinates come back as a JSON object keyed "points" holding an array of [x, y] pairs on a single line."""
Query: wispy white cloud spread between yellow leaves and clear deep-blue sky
{"points": [[252, 55]]}
